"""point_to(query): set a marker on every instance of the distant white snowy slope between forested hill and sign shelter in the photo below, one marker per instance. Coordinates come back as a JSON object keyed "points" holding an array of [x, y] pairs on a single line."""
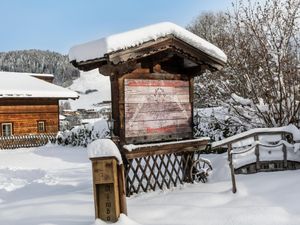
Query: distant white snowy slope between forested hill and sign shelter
{"points": [[91, 80]]}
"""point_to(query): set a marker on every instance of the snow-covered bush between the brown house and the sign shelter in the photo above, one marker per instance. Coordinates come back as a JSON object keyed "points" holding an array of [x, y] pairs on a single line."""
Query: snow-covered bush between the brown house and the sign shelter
{"points": [[84, 134]]}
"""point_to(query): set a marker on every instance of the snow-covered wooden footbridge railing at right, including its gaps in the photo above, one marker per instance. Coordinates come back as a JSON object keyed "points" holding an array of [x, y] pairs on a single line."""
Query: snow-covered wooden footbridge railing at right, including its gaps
{"points": [[259, 150]]}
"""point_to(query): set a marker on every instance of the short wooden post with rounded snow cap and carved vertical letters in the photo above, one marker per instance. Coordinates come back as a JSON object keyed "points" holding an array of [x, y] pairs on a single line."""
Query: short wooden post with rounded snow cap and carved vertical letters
{"points": [[108, 180]]}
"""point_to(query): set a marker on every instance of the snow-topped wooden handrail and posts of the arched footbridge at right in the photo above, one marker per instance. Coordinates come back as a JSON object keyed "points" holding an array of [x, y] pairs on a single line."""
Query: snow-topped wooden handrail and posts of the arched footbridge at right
{"points": [[251, 139]]}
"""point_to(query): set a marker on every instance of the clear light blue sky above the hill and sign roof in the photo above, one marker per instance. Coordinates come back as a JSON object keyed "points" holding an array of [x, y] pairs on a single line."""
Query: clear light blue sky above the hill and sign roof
{"points": [[57, 25]]}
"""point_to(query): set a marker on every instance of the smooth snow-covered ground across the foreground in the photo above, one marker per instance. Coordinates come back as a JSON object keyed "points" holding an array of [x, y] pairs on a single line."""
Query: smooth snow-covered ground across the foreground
{"points": [[52, 185]]}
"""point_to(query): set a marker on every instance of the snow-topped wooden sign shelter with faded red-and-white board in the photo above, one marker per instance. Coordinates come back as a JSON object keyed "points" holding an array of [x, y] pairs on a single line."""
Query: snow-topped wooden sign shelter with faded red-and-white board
{"points": [[152, 72]]}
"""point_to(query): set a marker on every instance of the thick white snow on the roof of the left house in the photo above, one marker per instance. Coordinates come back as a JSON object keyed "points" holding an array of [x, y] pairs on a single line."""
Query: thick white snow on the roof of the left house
{"points": [[25, 85]]}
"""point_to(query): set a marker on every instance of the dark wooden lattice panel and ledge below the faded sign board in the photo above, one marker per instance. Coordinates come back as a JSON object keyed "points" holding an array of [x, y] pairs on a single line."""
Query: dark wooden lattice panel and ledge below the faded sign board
{"points": [[163, 167]]}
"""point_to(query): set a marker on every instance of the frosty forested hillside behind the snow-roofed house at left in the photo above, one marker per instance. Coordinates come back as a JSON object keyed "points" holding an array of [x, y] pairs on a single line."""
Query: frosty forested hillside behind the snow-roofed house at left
{"points": [[38, 61]]}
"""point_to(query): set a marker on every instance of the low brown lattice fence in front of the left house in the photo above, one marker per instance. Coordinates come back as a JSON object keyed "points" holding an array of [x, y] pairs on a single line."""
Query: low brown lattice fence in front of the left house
{"points": [[26, 141]]}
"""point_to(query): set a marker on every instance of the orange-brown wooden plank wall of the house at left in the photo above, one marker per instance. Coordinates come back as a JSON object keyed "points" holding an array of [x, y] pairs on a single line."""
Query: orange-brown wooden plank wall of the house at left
{"points": [[24, 114]]}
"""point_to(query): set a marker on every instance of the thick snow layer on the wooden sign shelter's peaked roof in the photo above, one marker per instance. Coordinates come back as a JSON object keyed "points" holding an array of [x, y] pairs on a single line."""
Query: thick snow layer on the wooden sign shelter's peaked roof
{"points": [[98, 48]]}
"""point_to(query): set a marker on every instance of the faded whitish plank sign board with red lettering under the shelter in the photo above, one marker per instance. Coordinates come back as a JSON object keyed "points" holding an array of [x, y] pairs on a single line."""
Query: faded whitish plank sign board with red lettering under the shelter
{"points": [[157, 109]]}
